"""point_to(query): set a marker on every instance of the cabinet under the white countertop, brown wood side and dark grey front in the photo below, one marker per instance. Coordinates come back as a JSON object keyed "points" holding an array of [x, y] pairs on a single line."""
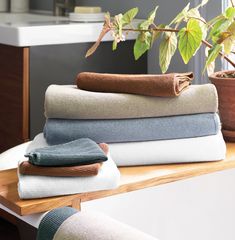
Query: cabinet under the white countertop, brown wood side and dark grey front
{"points": [[26, 72]]}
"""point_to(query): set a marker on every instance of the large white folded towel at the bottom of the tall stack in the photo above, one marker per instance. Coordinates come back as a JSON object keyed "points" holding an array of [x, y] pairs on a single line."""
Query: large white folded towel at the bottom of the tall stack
{"points": [[199, 149]]}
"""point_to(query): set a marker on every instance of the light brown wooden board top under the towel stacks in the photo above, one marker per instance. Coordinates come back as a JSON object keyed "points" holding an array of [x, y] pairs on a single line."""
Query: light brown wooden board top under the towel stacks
{"points": [[132, 178]]}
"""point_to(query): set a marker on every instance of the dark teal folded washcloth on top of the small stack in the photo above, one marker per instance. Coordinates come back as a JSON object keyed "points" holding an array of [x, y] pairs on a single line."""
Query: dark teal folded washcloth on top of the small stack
{"points": [[78, 152]]}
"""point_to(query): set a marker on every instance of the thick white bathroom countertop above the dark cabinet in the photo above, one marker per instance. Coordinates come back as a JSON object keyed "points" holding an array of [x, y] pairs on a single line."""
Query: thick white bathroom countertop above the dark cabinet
{"points": [[25, 30]]}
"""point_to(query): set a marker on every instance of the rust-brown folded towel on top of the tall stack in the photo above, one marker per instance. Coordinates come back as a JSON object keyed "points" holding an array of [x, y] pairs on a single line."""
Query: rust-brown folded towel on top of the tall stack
{"points": [[162, 85]]}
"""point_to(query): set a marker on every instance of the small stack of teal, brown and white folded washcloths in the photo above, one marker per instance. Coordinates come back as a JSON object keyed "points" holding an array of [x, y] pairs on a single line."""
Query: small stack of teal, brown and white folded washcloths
{"points": [[75, 167]]}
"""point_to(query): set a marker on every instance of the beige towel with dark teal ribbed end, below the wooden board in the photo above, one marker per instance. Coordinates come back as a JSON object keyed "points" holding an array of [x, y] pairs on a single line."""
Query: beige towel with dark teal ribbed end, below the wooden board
{"points": [[67, 223]]}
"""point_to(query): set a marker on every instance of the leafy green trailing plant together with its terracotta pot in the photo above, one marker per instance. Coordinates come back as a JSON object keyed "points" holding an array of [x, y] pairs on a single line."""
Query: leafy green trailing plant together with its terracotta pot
{"points": [[188, 31]]}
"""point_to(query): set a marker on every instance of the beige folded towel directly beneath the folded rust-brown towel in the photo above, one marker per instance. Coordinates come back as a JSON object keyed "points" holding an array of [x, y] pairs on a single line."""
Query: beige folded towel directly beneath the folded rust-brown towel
{"points": [[68, 102]]}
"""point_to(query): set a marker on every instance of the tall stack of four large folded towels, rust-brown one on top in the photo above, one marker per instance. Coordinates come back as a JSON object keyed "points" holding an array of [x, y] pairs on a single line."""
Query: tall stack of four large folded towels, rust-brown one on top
{"points": [[146, 119]]}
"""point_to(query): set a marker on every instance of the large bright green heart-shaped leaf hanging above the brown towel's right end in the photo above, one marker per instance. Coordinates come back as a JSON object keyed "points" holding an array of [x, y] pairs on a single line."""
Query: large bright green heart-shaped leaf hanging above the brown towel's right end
{"points": [[190, 40]]}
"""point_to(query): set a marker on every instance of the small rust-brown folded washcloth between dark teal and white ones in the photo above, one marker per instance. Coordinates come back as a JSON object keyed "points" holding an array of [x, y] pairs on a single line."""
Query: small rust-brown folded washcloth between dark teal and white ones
{"points": [[26, 168]]}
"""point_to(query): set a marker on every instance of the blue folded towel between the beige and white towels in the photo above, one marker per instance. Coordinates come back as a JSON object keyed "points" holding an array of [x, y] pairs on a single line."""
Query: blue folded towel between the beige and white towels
{"points": [[130, 130]]}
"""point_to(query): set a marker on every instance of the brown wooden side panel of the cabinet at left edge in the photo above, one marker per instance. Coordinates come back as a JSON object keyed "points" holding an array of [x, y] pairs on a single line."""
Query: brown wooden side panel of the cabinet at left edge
{"points": [[14, 96]]}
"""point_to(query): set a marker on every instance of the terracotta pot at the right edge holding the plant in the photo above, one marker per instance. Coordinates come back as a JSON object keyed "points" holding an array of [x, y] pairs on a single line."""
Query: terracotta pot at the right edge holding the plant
{"points": [[226, 94]]}
